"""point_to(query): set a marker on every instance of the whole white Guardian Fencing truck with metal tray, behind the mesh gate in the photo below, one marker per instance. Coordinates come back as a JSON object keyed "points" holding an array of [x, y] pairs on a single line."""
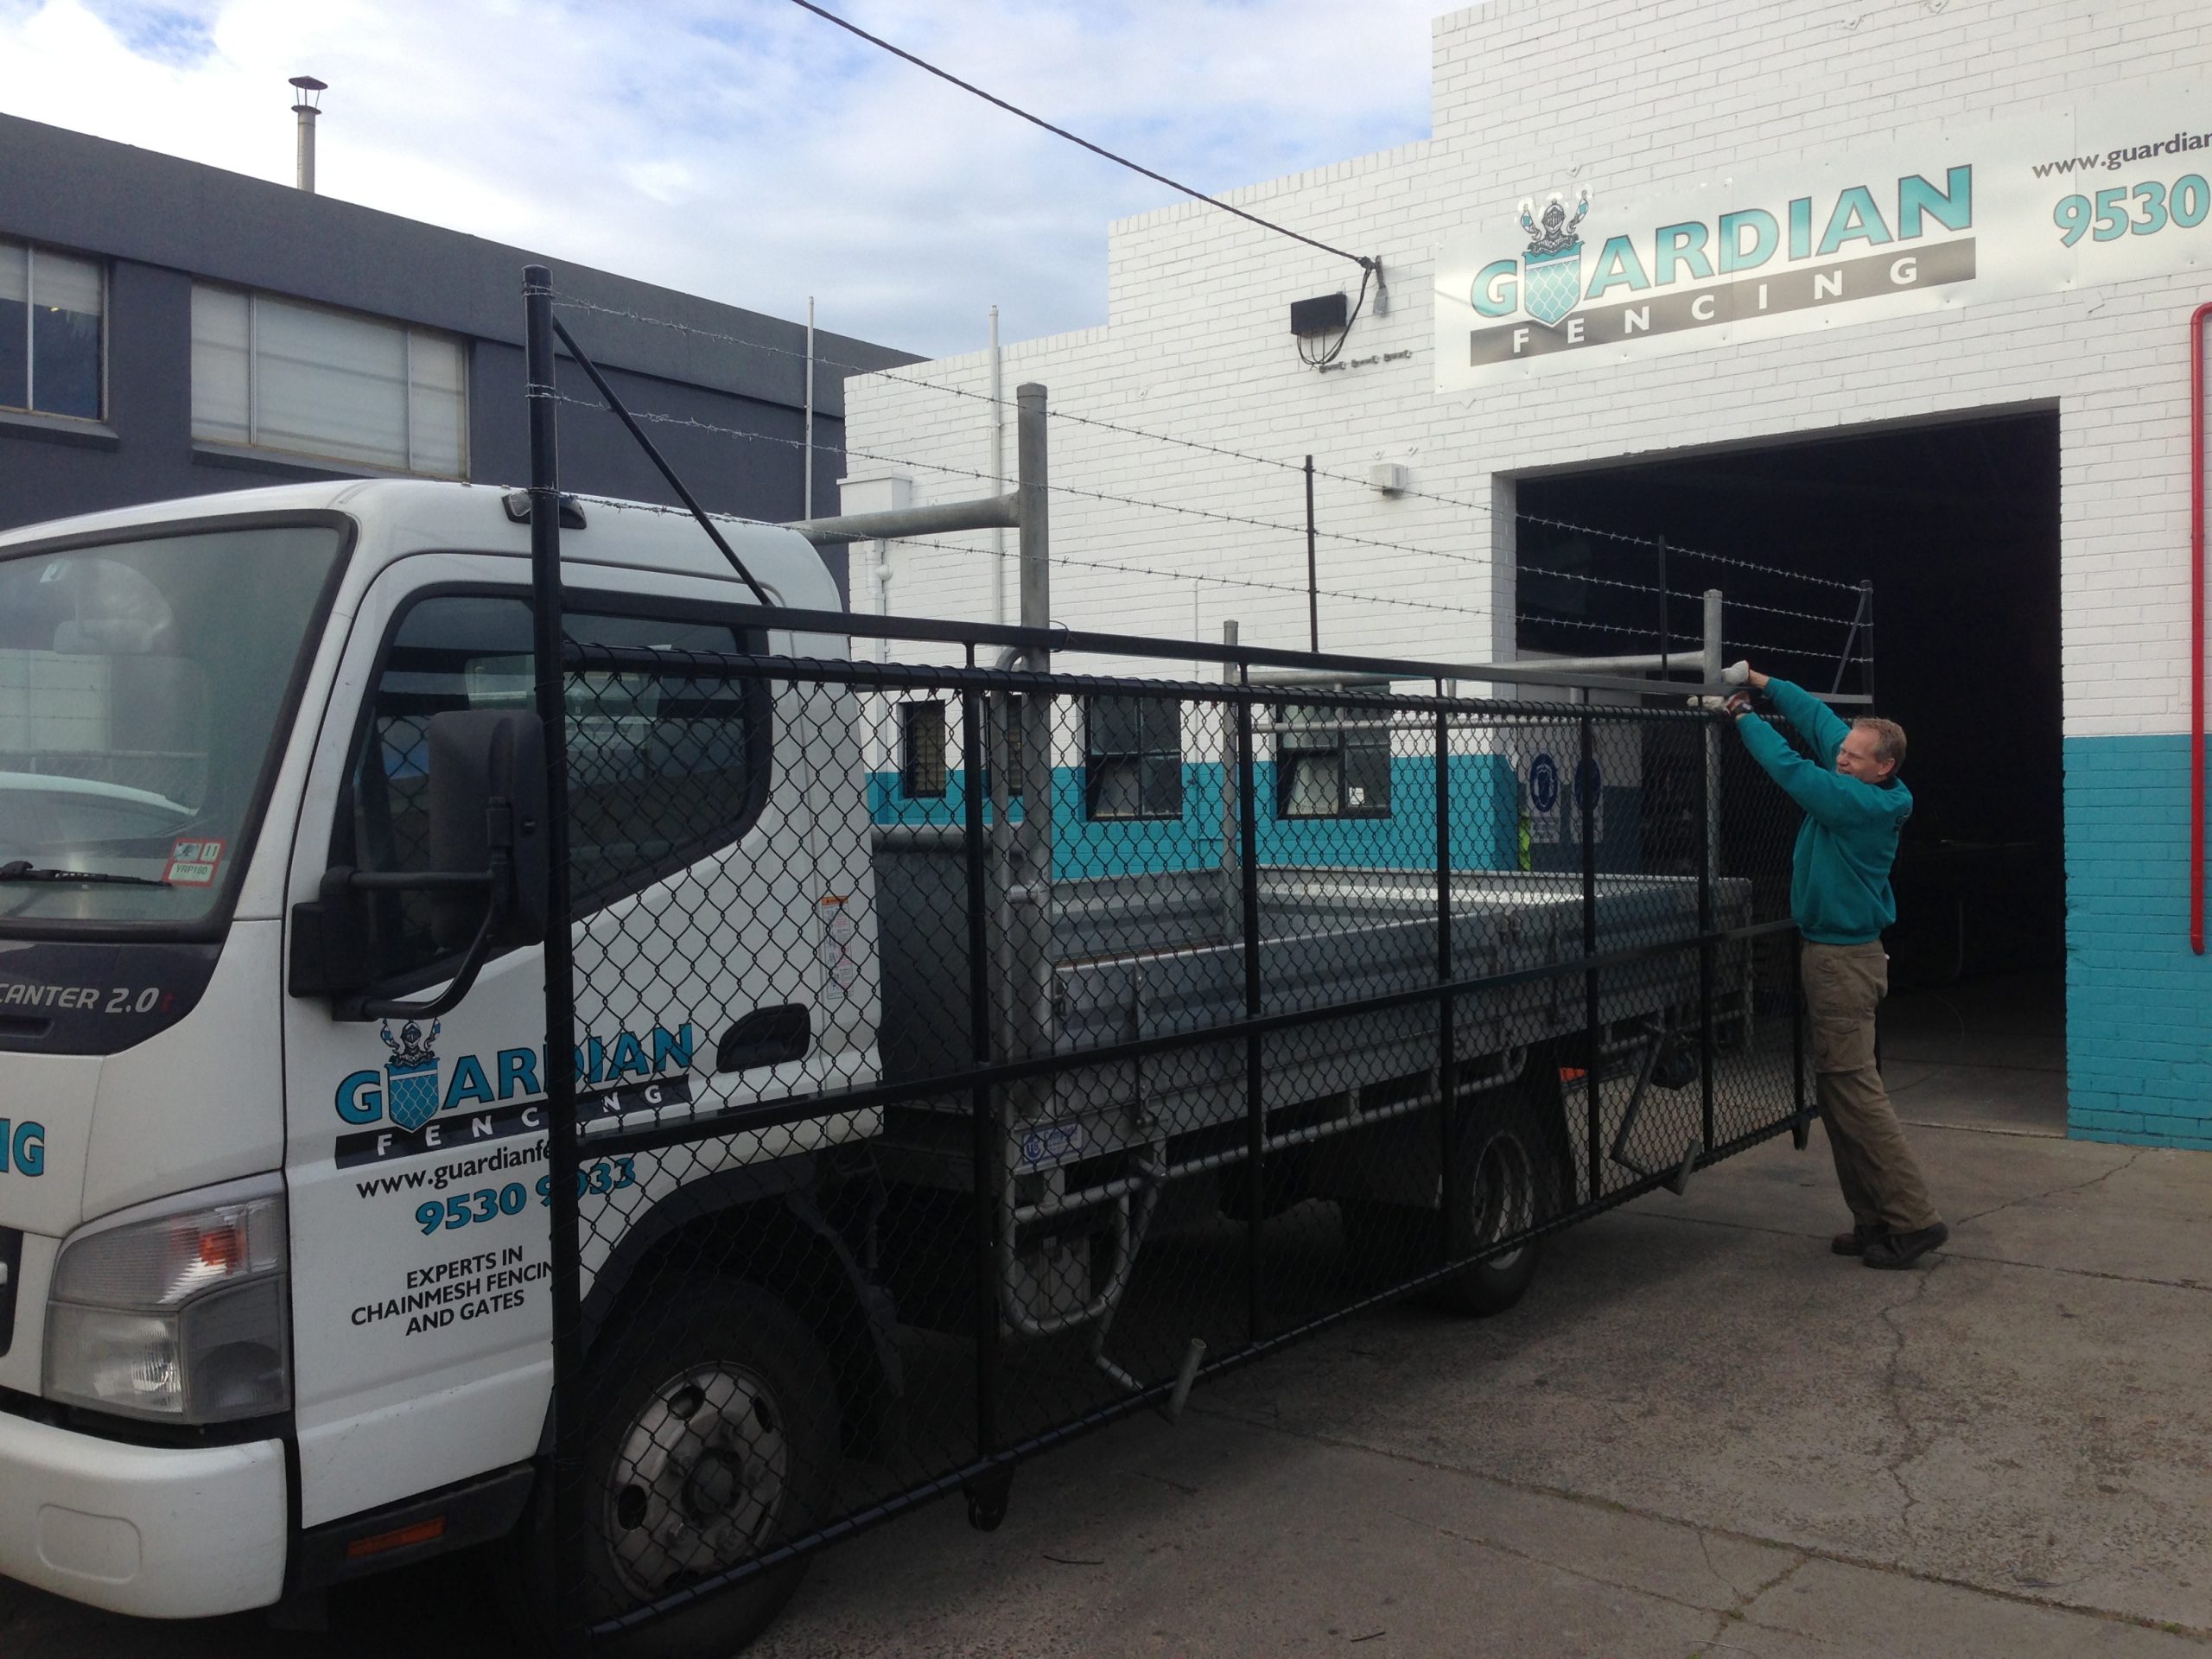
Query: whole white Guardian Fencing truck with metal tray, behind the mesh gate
{"points": [[273, 1224]]}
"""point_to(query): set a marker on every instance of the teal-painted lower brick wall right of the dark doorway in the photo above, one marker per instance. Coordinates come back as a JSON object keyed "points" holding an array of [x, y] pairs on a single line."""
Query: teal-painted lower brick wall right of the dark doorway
{"points": [[2138, 999]]}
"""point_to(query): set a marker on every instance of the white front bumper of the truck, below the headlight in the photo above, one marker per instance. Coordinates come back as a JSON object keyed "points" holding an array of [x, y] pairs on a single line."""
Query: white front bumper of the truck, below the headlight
{"points": [[167, 1534]]}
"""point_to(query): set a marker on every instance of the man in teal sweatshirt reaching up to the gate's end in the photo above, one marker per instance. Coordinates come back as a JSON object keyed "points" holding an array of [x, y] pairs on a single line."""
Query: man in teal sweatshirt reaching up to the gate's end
{"points": [[1839, 895]]}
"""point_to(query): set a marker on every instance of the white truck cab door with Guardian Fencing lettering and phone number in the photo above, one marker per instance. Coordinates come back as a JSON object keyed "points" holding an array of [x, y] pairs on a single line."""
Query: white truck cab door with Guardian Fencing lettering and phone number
{"points": [[417, 1145]]}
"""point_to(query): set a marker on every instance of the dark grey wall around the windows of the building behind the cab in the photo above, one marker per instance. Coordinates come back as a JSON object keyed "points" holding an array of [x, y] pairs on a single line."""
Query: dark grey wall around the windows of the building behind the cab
{"points": [[163, 222]]}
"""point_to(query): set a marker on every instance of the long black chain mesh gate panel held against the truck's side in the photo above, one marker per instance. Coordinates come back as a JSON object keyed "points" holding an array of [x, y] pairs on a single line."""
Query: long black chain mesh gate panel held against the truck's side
{"points": [[919, 1129]]}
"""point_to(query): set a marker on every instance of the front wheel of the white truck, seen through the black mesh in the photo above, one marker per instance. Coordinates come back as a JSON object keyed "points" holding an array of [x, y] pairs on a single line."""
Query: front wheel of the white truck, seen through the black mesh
{"points": [[713, 1434]]}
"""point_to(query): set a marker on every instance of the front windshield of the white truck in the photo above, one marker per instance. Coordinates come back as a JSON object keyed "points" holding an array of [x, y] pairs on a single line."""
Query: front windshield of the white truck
{"points": [[140, 696]]}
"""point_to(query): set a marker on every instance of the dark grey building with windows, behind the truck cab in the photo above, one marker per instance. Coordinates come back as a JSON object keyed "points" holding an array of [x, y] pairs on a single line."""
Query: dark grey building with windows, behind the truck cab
{"points": [[171, 331]]}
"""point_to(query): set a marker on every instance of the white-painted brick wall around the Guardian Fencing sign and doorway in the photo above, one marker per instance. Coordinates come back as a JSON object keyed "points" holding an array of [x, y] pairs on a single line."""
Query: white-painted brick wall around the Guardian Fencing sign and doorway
{"points": [[1625, 98]]}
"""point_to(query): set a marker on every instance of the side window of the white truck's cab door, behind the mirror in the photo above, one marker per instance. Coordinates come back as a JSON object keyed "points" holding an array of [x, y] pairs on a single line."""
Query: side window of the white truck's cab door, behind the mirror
{"points": [[660, 771]]}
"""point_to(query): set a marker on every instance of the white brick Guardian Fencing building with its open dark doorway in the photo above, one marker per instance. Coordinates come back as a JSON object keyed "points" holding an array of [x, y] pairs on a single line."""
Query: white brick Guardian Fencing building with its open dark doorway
{"points": [[1875, 317]]}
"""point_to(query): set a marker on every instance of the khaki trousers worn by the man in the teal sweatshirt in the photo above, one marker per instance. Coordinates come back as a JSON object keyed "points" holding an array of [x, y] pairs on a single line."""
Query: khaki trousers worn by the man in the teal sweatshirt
{"points": [[1877, 1169]]}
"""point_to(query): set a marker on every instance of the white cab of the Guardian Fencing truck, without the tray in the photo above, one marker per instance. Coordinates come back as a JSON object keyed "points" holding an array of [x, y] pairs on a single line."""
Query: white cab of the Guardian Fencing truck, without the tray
{"points": [[273, 1244]]}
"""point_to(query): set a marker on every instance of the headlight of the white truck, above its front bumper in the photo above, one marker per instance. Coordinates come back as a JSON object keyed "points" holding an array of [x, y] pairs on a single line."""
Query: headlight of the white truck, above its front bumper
{"points": [[178, 1315]]}
